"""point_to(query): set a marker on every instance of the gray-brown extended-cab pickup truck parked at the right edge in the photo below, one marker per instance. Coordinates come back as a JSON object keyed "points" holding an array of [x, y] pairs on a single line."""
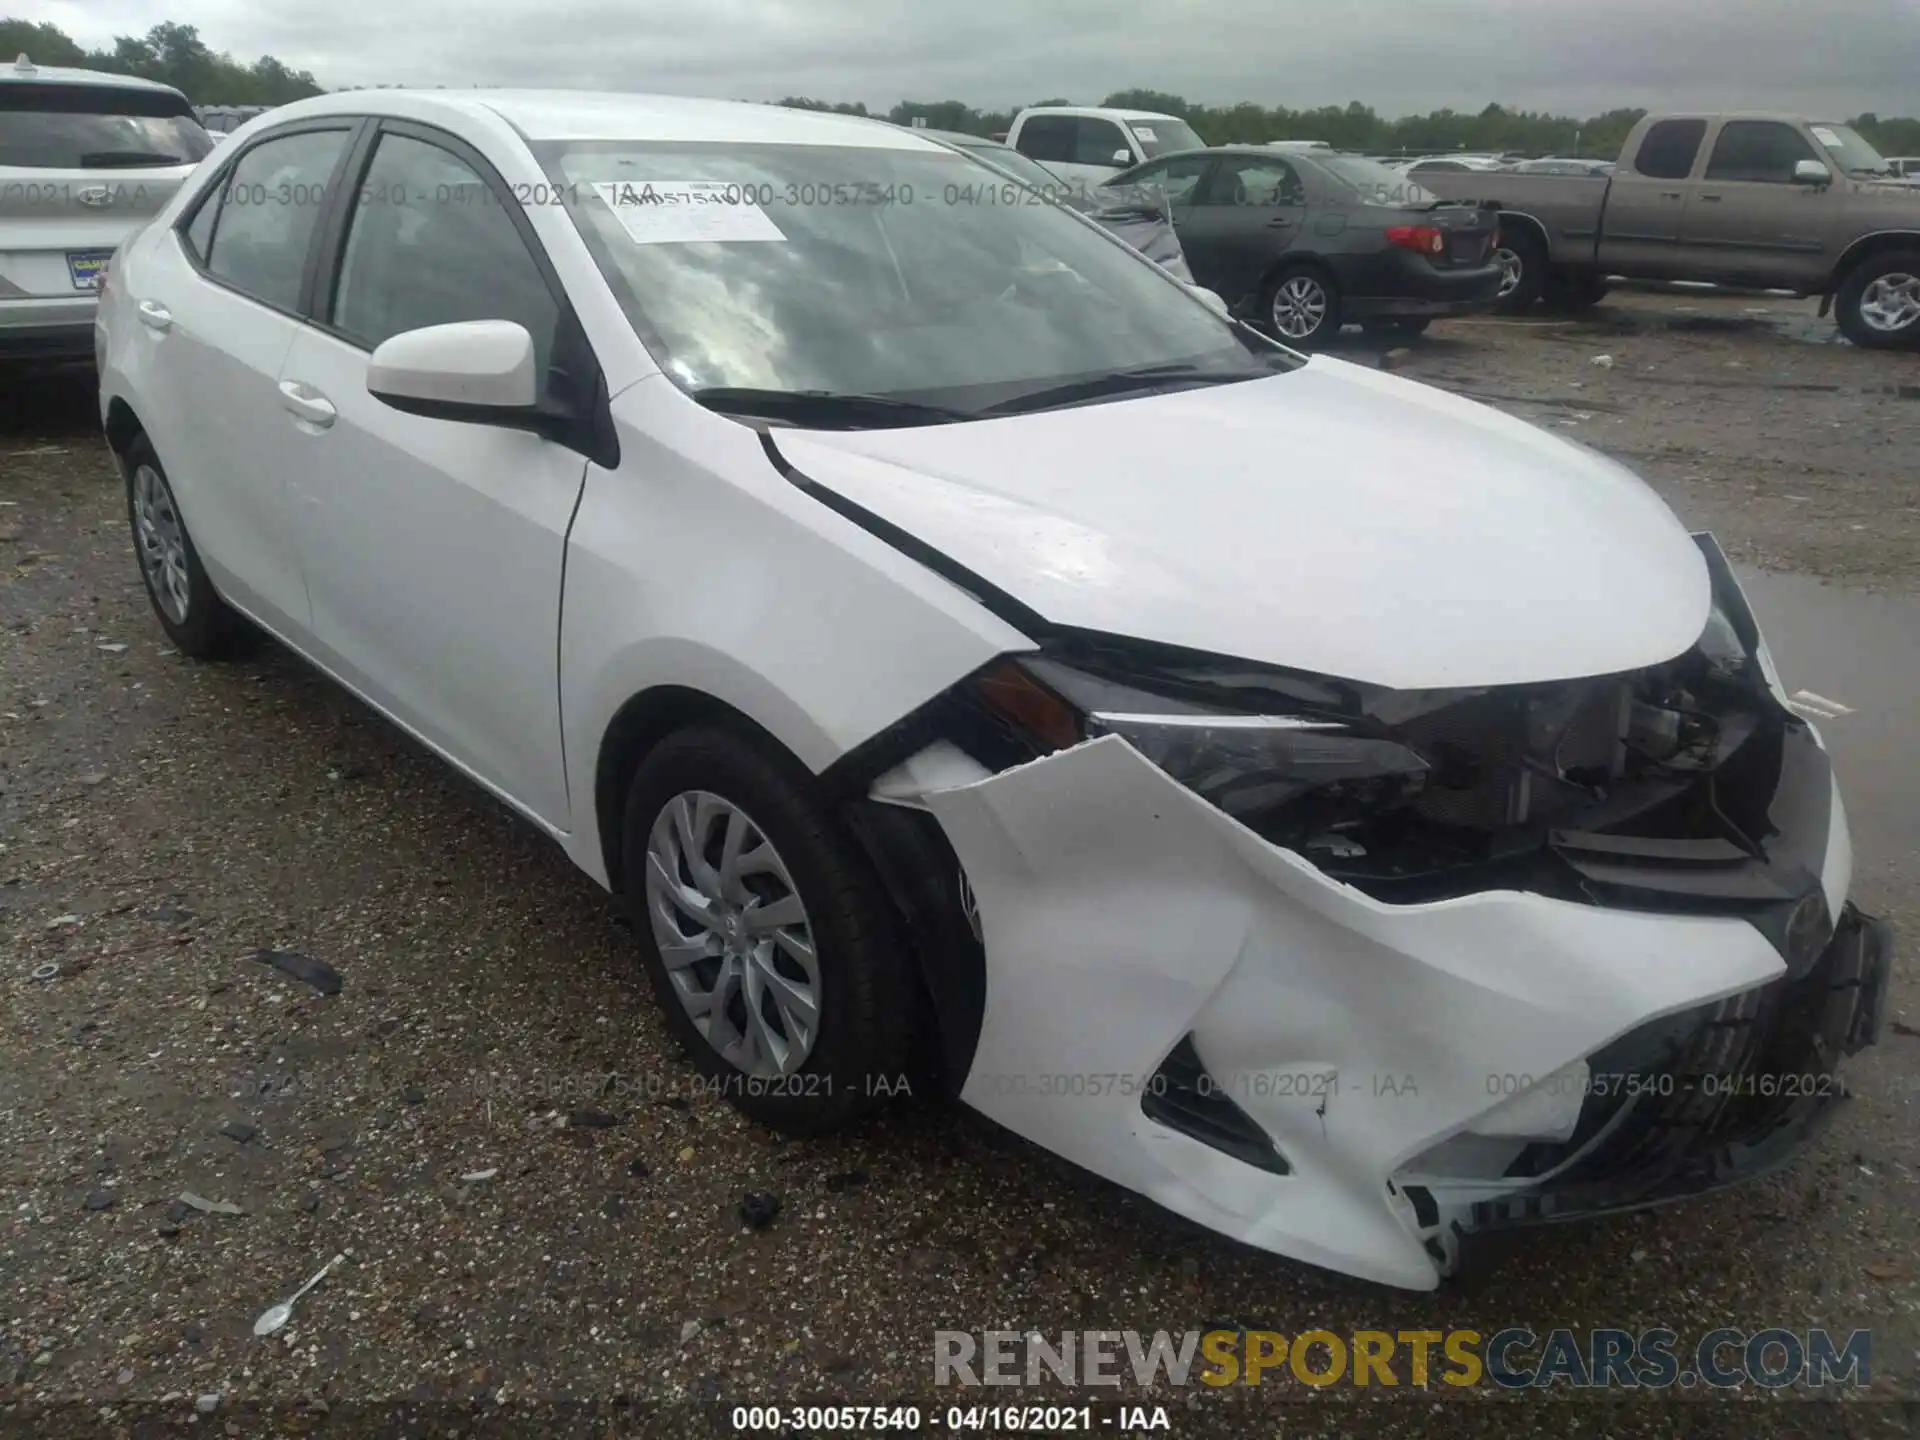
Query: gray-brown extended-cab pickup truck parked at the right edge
{"points": [[1748, 201]]}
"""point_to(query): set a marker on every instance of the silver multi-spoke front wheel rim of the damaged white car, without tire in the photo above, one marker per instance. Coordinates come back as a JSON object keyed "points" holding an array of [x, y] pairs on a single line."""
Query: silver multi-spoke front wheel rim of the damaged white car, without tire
{"points": [[734, 936]]}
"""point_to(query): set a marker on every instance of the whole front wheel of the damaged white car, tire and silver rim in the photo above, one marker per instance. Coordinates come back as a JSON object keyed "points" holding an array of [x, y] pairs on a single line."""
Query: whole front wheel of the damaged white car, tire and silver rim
{"points": [[765, 934]]}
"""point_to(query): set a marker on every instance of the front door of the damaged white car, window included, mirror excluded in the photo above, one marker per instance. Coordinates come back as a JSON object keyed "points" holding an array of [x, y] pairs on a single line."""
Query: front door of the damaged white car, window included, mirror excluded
{"points": [[435, 548]]}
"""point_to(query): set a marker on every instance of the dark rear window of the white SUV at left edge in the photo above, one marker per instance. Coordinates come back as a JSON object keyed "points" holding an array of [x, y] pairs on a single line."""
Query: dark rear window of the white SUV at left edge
{"points": [[97, 128]]}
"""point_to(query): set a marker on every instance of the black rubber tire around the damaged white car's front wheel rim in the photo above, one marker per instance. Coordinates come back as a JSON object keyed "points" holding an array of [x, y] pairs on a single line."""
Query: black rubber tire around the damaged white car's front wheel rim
{"points": [[867, 1003]]}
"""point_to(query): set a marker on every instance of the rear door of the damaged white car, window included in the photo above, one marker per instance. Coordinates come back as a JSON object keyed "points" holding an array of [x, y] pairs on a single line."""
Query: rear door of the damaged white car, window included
{"points": [[216, 306]]}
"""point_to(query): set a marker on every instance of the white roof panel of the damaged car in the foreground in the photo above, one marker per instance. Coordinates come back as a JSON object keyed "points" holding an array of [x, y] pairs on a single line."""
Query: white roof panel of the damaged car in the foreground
{"points": [[619, 116]]}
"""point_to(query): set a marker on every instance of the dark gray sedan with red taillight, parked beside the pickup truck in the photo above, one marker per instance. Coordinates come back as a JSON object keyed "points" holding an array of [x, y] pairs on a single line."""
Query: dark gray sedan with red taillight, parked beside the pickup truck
{"points": [[1307, 241]]}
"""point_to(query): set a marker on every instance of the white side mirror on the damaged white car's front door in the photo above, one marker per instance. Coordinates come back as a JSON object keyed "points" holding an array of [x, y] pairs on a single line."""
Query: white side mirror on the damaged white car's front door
{"points": [[477, 372]]}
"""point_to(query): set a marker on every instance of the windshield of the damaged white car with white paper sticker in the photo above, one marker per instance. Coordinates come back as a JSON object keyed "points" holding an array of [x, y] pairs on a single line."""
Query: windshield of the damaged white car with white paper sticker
{"points": [[875, 272]]}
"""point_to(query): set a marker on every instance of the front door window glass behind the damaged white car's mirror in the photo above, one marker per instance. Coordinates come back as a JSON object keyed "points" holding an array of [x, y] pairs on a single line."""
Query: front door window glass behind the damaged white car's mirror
{"points": [[433, 245]]}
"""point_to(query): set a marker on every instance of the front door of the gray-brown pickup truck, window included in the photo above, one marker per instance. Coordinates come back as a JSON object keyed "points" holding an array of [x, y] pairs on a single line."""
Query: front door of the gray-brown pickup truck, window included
{"points": [[1750, 220]]}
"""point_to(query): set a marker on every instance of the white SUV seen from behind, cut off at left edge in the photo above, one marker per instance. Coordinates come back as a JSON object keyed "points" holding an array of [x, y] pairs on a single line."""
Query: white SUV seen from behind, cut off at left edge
{"points": [[85, 160]]}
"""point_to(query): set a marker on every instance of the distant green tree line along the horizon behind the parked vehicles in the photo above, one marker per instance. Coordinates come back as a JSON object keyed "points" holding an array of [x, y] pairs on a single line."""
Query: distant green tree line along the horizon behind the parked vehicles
{"points": [[178, 57]]}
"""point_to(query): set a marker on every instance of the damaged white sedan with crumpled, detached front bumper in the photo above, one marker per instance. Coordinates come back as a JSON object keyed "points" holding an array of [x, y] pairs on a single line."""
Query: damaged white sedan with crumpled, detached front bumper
{"points": [[1324, 805]]}
